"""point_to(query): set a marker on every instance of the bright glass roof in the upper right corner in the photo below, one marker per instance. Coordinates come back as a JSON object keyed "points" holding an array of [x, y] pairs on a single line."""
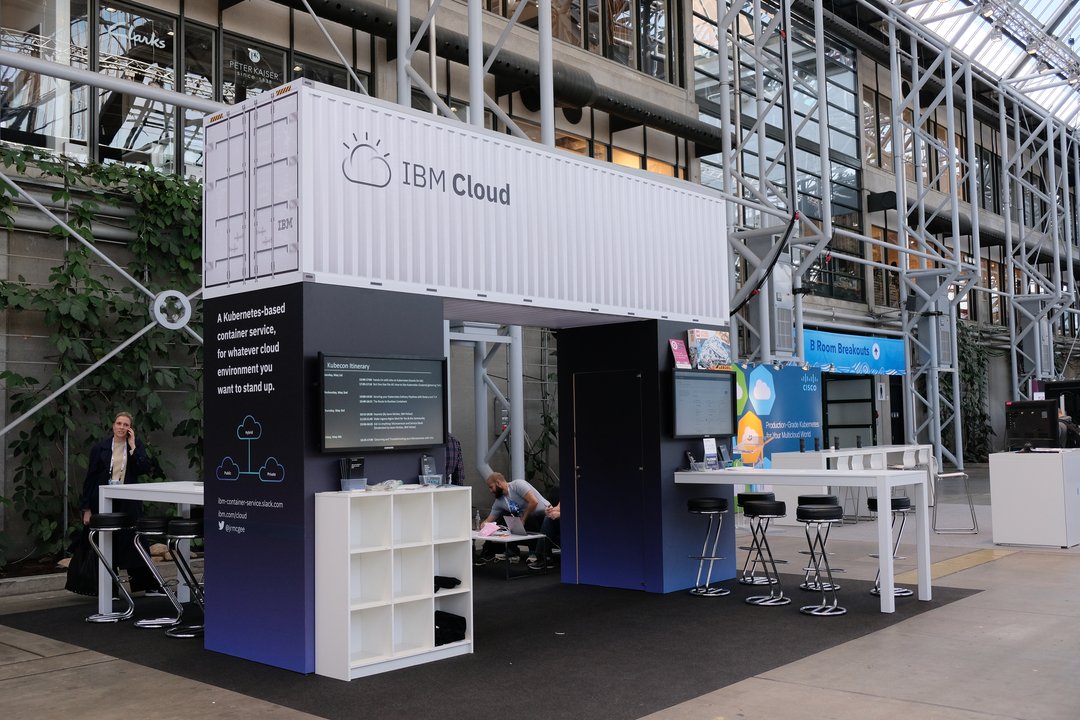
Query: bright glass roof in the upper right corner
{"points": [[1030, 45]]}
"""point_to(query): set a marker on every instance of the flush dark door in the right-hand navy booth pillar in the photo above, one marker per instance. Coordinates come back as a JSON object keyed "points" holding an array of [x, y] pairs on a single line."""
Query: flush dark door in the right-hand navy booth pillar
{"points": [[610, 482]]}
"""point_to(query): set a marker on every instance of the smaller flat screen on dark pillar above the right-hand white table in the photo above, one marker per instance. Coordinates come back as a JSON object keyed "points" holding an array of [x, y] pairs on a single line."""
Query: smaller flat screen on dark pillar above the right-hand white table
{"points": [[705, 404]]}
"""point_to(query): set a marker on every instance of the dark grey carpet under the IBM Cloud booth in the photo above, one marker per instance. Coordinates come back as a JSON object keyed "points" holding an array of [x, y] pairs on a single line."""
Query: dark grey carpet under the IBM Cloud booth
{"points": [[543, 650]]}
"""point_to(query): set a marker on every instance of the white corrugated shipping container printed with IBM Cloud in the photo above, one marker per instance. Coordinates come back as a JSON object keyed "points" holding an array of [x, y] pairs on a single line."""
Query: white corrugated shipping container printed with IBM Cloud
{"points": [[314, 183]]}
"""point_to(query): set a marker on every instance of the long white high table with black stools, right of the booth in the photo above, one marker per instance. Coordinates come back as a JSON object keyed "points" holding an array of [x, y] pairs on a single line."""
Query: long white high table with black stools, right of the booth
{"points": [[883, 481]]}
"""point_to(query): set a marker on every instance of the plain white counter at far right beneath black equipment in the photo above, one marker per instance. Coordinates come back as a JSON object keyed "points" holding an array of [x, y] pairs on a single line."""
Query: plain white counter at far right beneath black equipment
{"points": [[1035, 498]]}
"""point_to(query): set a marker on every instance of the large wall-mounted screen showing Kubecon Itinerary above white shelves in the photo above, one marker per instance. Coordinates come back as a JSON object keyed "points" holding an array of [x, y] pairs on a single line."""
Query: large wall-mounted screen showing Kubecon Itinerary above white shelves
{"points": [[383, 403]]}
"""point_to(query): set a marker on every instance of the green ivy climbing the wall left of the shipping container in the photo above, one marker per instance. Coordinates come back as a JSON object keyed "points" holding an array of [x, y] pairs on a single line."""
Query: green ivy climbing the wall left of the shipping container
{"points": [[87, 314]]}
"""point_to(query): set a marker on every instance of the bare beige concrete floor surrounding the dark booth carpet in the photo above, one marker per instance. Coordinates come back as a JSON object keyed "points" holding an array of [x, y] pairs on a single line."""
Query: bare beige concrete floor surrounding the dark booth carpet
{"points": [[1011, 650]]}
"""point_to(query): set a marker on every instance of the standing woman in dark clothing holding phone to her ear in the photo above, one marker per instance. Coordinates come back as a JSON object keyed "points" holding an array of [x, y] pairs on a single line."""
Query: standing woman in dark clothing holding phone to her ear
{"points": [[119, 459]]}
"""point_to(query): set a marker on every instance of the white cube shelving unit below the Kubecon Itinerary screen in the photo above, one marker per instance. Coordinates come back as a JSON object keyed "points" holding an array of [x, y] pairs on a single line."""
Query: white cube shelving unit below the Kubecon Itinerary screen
{"points": [[377, 554]]}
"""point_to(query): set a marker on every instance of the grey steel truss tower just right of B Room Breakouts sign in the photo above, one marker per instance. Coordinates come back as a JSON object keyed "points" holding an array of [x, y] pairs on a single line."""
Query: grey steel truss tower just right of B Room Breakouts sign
{"points": [[930, 84]]}
